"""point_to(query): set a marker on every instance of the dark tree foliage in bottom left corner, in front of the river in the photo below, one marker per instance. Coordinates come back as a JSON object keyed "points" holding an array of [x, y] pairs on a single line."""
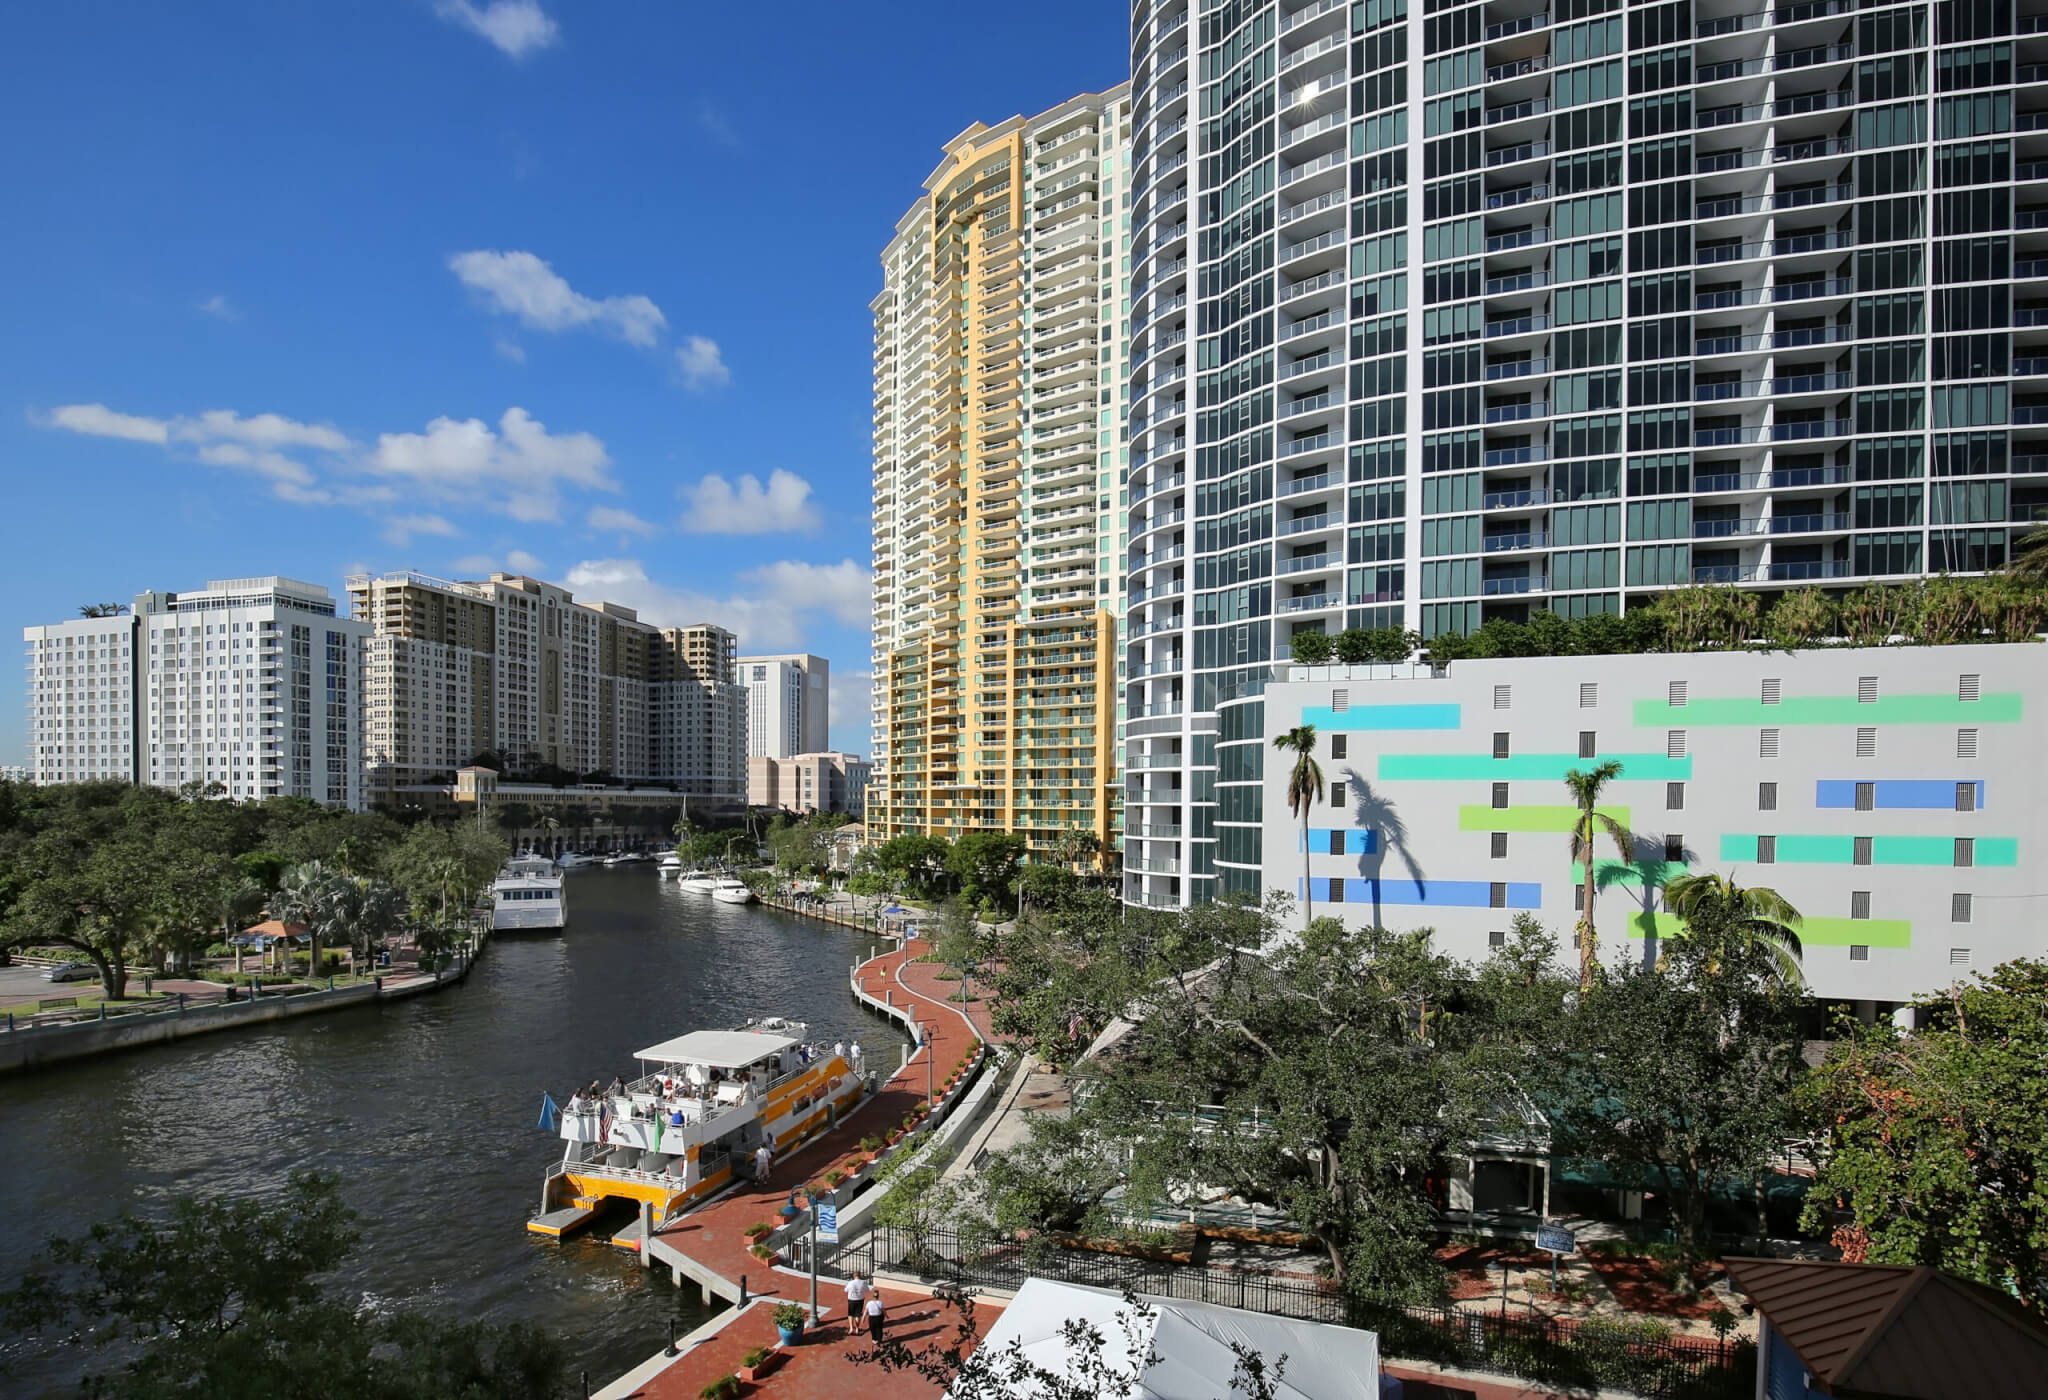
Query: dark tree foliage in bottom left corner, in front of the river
{"points": [[226, 1301]]}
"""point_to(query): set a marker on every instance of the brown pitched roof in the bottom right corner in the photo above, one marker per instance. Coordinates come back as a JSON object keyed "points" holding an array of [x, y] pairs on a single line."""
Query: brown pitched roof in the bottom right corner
{"points": [[1900, 1331]]}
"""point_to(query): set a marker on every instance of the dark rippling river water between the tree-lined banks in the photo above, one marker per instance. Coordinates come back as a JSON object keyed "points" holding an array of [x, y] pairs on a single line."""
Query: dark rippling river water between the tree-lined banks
{"points": [[429, 1112]]}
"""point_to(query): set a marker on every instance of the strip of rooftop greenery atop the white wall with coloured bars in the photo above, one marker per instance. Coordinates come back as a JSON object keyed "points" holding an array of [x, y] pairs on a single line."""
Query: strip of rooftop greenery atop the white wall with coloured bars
{"points": [[1924, 613]]}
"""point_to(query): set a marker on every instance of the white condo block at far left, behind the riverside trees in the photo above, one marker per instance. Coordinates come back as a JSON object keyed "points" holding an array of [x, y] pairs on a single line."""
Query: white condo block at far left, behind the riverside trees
{"points": [[253, 685]]}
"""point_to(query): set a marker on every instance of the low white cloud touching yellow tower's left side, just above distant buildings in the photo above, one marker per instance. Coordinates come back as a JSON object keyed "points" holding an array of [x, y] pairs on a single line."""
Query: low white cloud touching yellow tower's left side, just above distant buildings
{"points": [[771, 613]]}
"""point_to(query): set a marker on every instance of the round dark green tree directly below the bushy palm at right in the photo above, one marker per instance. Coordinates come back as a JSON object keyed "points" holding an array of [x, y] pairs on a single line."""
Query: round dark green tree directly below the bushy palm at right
{"points": [[1680, 1076]]}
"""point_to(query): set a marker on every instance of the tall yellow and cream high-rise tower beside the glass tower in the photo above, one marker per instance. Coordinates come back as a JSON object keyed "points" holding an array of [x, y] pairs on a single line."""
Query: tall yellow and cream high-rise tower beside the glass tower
{"points": [[998, 484]]}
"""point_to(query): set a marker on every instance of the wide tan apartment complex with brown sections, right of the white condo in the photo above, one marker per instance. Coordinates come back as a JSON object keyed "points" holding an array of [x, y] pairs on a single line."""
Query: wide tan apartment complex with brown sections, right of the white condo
{"points": [[519, 668]]}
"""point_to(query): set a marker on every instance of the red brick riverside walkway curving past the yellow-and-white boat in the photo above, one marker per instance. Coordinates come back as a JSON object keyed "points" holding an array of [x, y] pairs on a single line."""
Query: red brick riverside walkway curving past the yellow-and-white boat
{"points": [[716, 1235]]}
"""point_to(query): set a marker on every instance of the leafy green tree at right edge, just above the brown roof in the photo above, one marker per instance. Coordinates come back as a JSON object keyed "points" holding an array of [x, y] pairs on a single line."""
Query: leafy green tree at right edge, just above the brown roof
{"points": [[1938, 1139]]}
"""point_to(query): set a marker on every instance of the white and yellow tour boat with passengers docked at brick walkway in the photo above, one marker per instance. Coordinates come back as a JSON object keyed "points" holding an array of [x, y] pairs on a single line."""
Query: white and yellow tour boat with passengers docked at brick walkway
{"points": [[687, 1127]]}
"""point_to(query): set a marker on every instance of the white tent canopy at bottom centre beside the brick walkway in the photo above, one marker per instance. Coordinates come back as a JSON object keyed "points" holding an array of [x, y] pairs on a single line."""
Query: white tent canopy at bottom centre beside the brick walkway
{"points": [[1193, 1344]]}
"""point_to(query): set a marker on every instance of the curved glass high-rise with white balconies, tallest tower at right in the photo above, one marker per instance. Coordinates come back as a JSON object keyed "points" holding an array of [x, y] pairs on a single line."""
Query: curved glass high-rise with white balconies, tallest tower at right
{"points": [[1455, 312]]}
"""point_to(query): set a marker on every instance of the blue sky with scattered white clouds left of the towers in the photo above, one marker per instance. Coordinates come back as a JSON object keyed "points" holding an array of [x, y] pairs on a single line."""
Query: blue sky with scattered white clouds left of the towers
{"points": [[564, 286]]}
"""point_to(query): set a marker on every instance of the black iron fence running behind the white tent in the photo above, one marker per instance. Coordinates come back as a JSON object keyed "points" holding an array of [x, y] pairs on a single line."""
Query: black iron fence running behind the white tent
{"points": [[1641, 1358]]}
